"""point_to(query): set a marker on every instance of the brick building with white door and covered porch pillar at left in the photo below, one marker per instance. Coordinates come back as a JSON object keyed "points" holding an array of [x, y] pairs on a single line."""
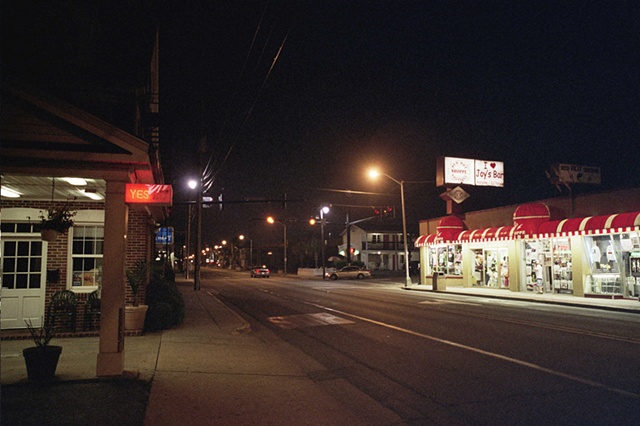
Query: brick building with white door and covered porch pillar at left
{"points": [[56, 153]]}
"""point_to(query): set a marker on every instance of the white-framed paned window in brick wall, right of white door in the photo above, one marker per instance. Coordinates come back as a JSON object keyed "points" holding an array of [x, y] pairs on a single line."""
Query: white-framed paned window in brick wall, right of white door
{"points": [[86, 256]]}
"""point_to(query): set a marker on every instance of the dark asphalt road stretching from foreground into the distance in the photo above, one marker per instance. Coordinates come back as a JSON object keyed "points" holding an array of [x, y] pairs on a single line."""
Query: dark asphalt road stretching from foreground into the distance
{"points": [[434, 358]]}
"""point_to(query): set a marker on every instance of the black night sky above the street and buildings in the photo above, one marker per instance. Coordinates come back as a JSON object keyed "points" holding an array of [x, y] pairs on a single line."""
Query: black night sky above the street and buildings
{"points": [[389, 83]]}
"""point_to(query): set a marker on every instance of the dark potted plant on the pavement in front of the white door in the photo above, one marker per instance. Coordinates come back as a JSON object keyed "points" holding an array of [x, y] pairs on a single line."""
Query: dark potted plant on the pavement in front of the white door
{"points": [[42, 359]]}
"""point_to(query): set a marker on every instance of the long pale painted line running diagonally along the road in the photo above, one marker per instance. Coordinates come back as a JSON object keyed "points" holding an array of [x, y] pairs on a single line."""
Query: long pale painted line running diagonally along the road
{"points": [[486, 353]]}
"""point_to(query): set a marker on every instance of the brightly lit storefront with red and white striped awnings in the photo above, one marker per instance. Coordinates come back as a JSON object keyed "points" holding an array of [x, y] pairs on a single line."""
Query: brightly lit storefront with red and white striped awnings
{"points": [[542, 243]]}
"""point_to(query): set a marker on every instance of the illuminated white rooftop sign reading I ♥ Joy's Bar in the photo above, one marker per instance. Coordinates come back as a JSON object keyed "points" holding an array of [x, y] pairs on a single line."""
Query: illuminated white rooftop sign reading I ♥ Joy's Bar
{"points": [[465, 171]]}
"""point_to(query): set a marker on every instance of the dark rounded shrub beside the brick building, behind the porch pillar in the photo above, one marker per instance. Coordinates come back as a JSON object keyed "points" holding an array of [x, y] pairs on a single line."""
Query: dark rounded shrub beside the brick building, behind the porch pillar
{"points": [[166, 306]]}
